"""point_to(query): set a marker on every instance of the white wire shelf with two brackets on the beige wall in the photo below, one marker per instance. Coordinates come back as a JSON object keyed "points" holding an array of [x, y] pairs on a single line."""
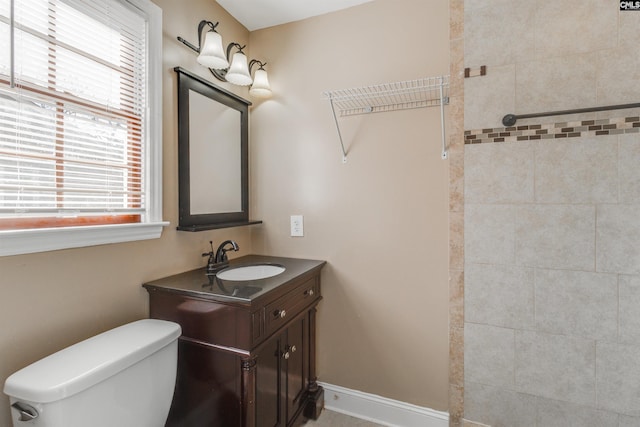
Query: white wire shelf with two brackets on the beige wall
{"points": [[410, 94]]}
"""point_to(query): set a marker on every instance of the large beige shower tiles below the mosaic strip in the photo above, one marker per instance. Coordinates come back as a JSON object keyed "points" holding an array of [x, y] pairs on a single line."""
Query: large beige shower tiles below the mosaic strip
{"points": [[552, 282]]}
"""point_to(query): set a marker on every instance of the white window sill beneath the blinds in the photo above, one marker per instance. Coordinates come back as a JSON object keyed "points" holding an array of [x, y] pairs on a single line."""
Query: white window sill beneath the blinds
{"points": [[17, 242]]}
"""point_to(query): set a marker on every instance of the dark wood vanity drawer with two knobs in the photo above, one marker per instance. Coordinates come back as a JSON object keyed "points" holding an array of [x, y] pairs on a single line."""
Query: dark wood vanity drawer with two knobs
{"points": [[290, 305]]}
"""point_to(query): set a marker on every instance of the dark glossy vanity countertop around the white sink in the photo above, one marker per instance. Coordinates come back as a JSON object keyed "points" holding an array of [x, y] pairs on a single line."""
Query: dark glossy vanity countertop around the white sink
{"points": [[197, 283]]}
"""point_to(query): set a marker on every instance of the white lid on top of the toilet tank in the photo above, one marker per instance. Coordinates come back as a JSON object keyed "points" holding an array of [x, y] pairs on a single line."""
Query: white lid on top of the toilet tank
{"points": [[82, 365]]}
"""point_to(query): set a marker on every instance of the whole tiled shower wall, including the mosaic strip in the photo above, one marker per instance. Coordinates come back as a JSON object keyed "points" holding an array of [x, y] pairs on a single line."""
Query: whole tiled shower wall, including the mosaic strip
{"points": [[552, 230]]}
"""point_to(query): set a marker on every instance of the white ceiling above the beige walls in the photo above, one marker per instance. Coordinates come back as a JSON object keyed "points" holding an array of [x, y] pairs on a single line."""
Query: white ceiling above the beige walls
{"points": [[257, 14]]}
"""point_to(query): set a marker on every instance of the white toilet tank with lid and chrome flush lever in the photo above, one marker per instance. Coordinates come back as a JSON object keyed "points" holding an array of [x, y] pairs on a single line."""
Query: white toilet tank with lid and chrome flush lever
{"points": [[124, 377]]}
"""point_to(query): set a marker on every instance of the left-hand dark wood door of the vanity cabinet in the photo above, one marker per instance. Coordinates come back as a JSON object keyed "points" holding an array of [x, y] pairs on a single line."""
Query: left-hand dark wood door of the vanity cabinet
{"points": [[269, 412]]}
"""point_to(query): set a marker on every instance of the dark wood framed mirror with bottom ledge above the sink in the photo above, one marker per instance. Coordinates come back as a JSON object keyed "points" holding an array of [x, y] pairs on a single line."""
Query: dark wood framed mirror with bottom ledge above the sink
{"points": [[213, 155]]}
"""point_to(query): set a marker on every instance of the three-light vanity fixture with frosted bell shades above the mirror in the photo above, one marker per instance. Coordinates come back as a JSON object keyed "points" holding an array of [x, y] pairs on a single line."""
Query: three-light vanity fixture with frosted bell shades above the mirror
{"points": [[212, 55]]}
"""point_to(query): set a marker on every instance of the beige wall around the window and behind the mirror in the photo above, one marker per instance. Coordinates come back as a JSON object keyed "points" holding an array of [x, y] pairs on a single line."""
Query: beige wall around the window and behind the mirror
{"points": [[54, 299]]}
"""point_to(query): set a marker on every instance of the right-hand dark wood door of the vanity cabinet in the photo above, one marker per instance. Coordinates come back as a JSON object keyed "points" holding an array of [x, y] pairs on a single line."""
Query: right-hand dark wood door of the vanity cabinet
{"points": [[295, 370]]}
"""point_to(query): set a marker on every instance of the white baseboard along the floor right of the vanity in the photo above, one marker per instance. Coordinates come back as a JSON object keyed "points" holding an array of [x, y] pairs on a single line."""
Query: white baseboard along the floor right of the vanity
{"points": [[379, 409]]}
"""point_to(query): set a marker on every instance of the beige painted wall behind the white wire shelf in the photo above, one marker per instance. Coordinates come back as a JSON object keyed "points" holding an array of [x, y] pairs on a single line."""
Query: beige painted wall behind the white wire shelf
{"points": [[381, 219]]}
